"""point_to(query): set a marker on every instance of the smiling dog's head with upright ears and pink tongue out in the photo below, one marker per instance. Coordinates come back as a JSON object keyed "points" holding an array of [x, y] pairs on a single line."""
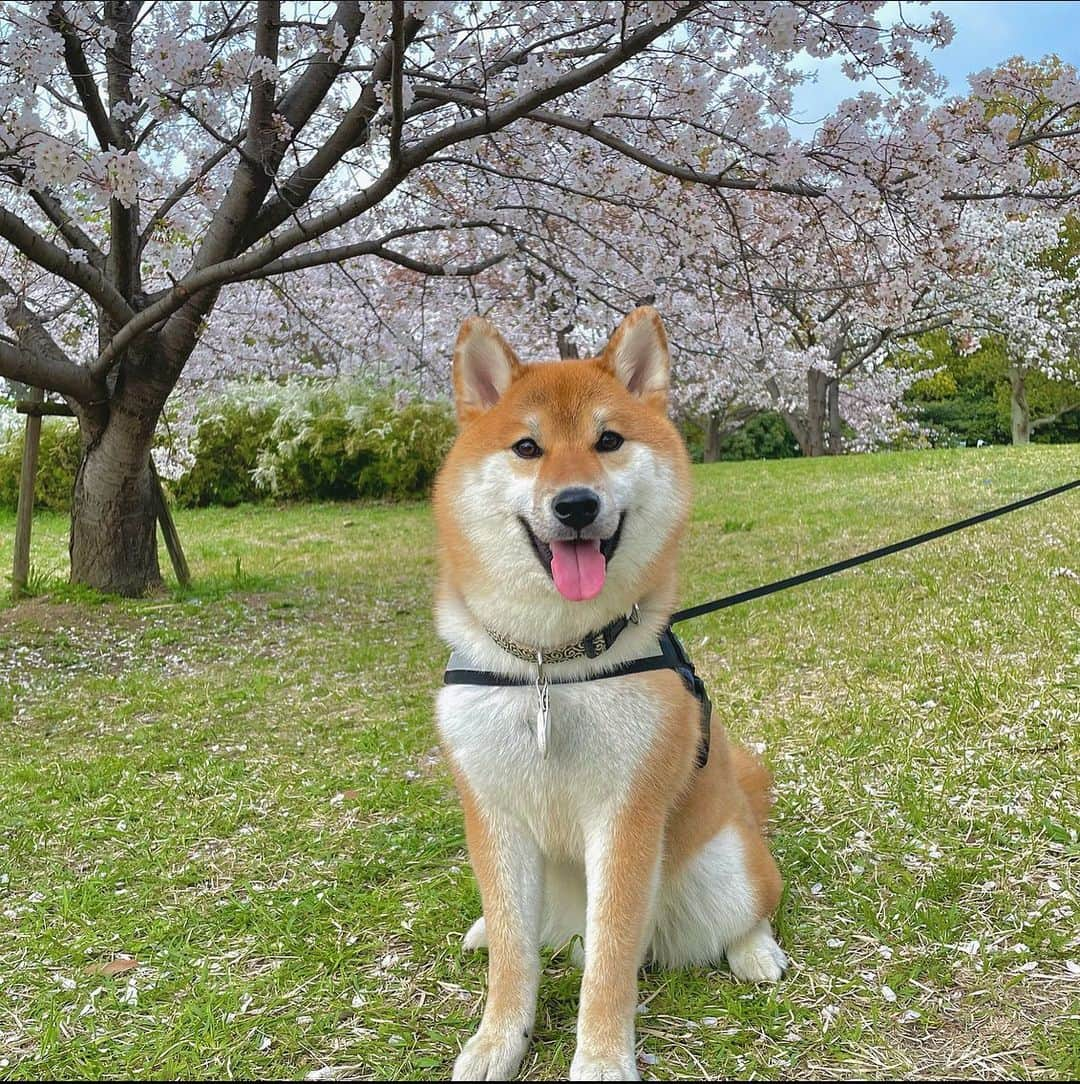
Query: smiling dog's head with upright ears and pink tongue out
{"points": [[568, 489]]}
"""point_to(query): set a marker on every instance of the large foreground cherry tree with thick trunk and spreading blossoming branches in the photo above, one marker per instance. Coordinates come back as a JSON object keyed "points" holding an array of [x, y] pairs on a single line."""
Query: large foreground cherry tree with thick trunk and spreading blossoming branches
{"points": [[158, 160]]}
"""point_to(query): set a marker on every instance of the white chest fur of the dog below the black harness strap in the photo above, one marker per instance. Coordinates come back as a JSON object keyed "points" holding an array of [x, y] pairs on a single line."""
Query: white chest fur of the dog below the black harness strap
{"points": [[600, 733]]}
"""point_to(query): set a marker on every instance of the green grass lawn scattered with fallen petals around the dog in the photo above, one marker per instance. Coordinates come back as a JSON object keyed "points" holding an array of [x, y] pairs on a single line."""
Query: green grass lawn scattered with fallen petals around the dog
{"points": [[239, 789]]}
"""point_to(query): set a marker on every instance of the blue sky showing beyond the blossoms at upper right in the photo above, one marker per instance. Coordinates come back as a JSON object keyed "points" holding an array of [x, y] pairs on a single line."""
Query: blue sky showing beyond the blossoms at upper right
{"points": [[987, 33]]}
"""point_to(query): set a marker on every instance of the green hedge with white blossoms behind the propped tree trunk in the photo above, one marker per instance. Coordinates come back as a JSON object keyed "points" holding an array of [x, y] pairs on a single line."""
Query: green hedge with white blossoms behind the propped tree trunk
{"points": [[255, 443]]}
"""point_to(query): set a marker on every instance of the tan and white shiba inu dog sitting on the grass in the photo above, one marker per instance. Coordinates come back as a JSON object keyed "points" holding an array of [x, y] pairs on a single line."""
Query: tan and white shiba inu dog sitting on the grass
{"points": [[573, 732]]}
